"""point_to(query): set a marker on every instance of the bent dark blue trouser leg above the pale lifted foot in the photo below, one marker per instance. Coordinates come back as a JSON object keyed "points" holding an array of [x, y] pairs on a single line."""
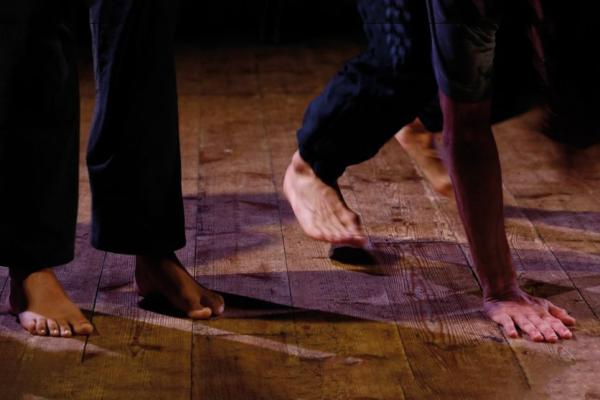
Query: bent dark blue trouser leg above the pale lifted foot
{"points": [[375, 94]]}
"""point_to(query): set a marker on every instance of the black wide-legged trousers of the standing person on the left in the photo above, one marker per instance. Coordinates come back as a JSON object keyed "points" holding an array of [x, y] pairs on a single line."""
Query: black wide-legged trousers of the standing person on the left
{"points": [[133, 153]]}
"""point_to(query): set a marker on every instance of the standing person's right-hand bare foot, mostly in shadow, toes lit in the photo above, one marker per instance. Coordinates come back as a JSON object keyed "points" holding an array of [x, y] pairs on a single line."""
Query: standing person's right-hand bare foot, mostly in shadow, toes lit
{"points": [[167, 278]]}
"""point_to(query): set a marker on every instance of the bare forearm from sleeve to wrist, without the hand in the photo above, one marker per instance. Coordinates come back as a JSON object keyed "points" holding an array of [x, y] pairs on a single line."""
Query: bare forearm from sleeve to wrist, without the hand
{"points": [[474, 166]]}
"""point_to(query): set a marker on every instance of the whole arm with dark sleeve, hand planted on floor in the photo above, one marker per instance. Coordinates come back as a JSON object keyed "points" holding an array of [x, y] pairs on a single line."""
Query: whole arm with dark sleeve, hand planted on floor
{"points": [[463, 50]]}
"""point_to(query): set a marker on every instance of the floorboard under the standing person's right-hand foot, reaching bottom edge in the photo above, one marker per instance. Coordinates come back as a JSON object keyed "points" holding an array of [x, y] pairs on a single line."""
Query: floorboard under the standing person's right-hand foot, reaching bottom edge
{"points": [[142, 346]]}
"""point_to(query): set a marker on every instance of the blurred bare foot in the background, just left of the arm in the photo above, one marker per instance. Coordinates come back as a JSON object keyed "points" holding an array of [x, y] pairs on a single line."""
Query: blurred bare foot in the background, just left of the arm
{"points": [[419, 143]]}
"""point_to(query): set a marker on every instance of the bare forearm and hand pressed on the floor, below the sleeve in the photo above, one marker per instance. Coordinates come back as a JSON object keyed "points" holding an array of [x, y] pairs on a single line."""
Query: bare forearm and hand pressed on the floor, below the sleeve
{"points": [[475, 170]]}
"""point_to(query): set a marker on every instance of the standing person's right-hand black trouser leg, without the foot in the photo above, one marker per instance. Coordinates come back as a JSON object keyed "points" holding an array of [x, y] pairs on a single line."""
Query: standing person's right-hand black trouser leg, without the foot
{"points": [[133, 155]]}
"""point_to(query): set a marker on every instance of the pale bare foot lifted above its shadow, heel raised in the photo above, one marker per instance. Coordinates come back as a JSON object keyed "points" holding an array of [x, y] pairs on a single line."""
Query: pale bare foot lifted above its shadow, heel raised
{"points": [[320, 208]]}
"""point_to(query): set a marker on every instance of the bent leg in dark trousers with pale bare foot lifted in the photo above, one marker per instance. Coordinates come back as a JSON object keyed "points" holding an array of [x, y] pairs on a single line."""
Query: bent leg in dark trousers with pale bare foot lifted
{"points": [[363, 106]]}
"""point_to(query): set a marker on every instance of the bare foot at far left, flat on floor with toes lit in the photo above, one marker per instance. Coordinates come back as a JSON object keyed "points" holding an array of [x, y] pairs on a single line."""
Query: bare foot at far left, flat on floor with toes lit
{"points": [[43, 307]]}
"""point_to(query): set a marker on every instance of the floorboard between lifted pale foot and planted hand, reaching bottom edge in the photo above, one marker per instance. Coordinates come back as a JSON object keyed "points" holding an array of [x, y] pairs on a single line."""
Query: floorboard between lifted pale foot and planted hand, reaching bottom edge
{"points": [[437, 301]]}
